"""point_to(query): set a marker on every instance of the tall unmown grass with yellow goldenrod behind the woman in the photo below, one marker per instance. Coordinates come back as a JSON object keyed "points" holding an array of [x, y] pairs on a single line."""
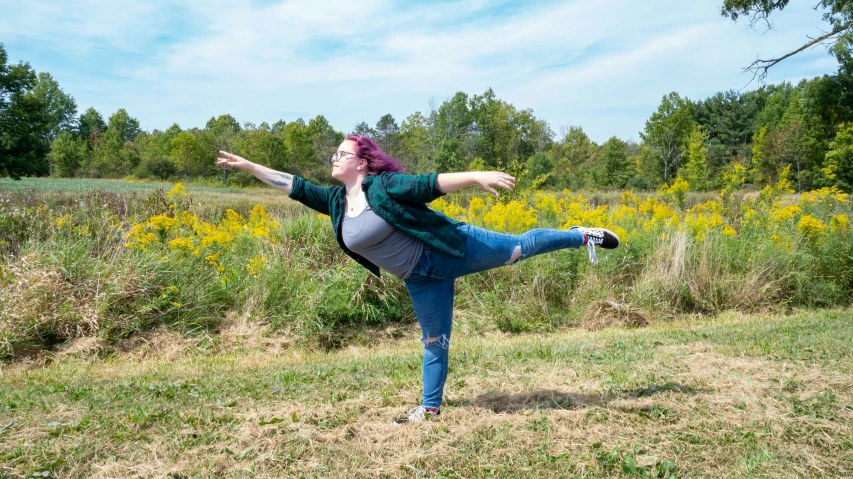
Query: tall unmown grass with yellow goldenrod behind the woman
{"points": [[110, 264]]}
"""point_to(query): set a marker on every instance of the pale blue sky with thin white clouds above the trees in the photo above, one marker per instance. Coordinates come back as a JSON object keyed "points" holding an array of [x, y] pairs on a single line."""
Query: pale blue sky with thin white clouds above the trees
{"points": [[603, 65]]}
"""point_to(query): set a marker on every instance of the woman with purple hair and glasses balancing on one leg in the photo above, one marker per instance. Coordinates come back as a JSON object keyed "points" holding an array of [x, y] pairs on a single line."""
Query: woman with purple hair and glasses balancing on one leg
{"points": [[381, 220]]}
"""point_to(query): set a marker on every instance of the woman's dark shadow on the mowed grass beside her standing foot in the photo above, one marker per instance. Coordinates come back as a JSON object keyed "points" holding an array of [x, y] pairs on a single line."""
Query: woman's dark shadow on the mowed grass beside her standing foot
{"points": [[498, 401]]}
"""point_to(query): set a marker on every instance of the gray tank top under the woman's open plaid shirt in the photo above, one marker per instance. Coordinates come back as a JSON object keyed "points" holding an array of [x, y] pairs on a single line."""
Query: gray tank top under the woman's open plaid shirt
{"points": [[385, 246]]}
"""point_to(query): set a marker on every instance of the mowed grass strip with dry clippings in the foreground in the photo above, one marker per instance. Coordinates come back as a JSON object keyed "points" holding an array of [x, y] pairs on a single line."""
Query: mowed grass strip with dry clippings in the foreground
{"points": [[734, 396]]}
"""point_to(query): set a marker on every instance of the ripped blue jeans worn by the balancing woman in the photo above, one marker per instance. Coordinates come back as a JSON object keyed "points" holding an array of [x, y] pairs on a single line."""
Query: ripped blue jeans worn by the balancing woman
{"points": [[431, 286]]}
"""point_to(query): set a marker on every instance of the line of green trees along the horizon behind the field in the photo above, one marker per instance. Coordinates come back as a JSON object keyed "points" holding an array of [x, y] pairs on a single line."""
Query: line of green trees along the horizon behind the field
{"points": [[807, 127]]}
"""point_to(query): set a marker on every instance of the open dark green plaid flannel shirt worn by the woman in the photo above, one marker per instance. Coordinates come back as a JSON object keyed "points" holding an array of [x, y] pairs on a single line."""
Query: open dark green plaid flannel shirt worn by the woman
{"points": [[396, 198]]}
